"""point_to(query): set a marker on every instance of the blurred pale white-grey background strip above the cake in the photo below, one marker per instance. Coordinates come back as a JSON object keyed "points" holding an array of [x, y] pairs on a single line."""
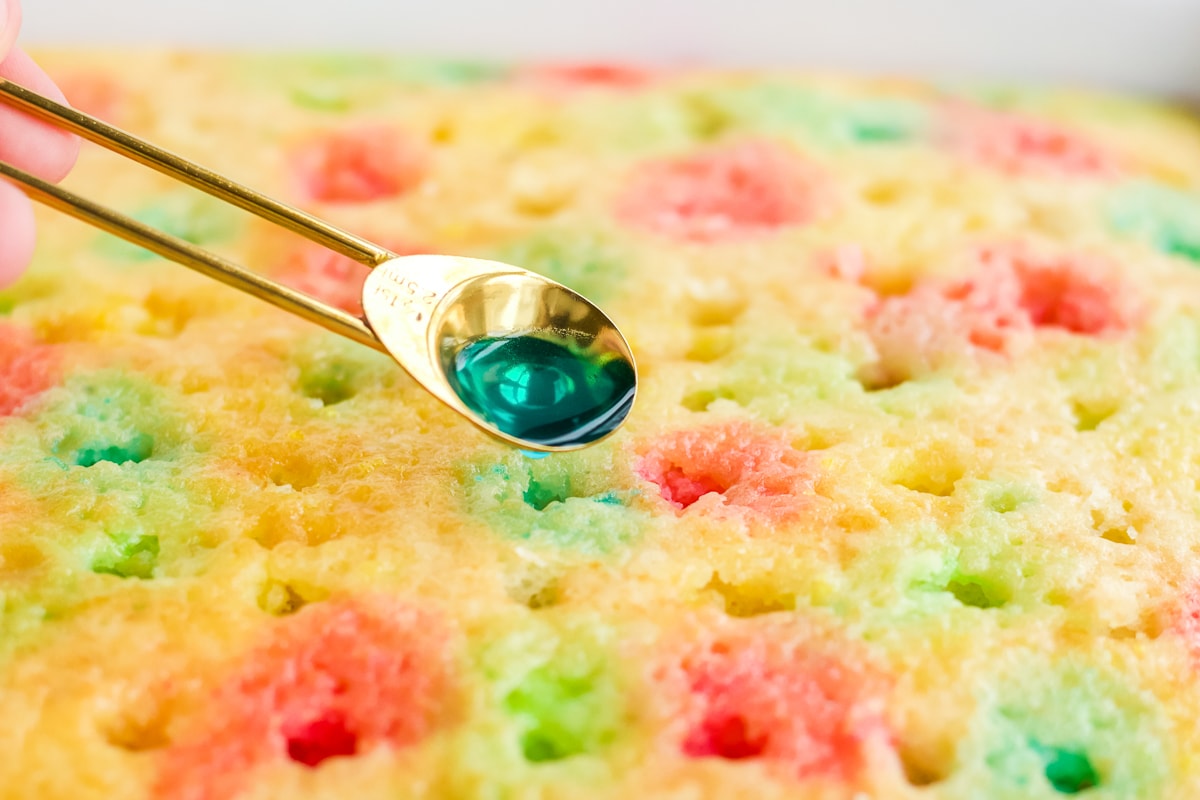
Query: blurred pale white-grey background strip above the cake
{"points": [[1145, 45]]}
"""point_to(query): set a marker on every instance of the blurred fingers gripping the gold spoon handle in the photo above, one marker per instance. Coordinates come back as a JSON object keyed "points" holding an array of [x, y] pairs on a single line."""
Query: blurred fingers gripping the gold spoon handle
{"points": [[27, 145]]}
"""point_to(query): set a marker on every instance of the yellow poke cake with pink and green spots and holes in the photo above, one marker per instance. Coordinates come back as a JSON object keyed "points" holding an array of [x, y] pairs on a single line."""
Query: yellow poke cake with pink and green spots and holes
{"points": [[908, 507]]}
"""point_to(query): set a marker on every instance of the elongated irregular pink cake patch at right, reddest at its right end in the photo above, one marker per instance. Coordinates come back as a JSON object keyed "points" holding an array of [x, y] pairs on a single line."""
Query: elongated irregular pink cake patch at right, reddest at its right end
{"points": [[1013, 293]]}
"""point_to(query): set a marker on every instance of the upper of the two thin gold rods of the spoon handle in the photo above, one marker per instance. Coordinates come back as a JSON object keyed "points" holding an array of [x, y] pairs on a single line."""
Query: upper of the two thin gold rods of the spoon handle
{"points": [[182, 170]]}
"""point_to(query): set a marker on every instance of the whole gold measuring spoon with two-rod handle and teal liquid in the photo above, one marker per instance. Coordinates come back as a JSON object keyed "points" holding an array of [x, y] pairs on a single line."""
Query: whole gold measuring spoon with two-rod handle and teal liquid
{"points": [[523, 358]]}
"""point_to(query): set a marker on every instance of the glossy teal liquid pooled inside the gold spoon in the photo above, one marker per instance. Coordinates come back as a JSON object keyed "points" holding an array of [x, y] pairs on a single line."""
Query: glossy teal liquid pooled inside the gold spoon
{"points": [[542, 388]]}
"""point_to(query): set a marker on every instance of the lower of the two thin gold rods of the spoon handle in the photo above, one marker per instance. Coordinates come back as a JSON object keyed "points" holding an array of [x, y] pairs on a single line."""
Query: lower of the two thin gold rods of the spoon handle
{"points": [[194, 257]]}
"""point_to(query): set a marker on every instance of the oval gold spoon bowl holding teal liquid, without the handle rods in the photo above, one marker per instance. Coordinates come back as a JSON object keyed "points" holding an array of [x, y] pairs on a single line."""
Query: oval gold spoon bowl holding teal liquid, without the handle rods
{"points": [[525, 359]]}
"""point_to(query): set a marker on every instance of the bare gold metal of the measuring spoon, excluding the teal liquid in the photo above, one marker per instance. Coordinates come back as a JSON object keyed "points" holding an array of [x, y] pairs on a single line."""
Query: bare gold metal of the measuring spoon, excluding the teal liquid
{"points": [[419, 309]]}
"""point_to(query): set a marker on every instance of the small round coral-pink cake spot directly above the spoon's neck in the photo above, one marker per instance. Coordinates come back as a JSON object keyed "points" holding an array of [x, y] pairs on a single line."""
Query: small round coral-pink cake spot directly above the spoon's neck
{"points": [[359, 166]]}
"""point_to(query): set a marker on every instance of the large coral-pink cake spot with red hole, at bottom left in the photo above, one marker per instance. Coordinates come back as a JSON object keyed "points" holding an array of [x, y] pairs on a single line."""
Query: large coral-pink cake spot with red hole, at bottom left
{"points": [[335, 681]]}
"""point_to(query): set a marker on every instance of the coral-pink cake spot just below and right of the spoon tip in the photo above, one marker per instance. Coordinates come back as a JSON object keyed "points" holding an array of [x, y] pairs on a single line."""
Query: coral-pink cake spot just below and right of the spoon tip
{"points": [[752, 470]]}
